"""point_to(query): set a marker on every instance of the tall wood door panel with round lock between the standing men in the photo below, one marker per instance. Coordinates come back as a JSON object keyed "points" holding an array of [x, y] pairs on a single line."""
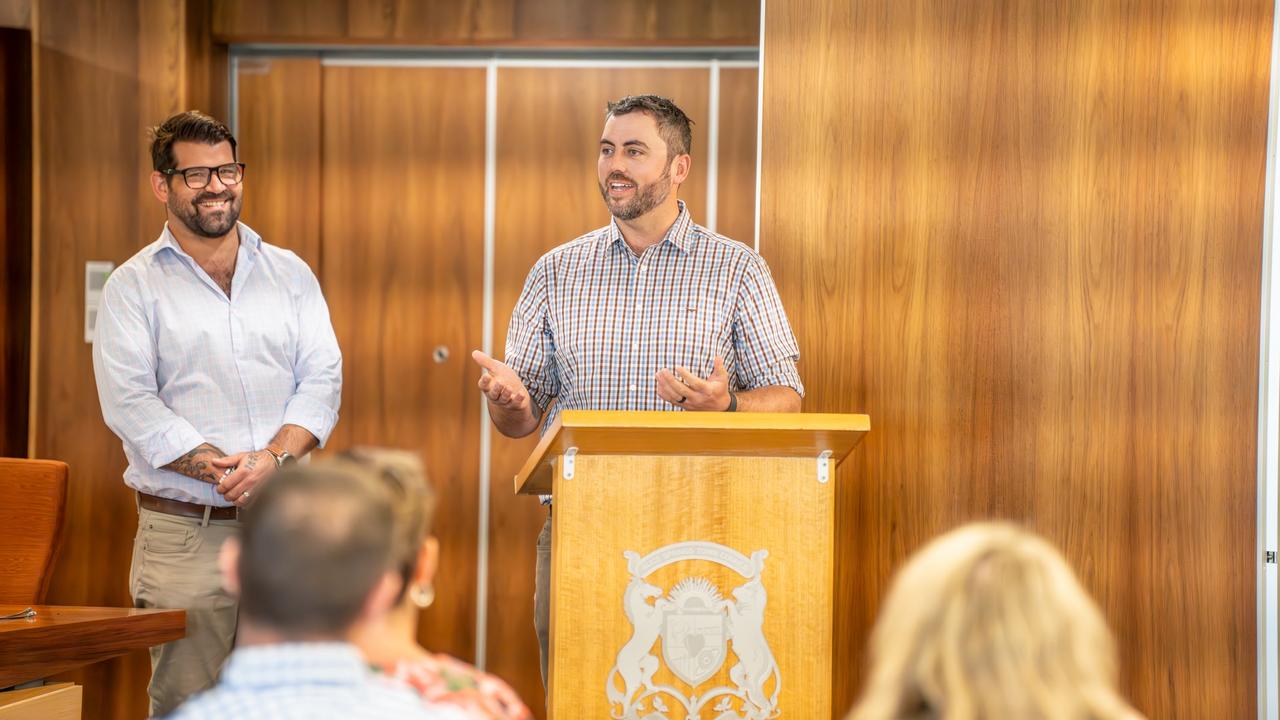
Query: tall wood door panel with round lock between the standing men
{"points": [[404, 250]]}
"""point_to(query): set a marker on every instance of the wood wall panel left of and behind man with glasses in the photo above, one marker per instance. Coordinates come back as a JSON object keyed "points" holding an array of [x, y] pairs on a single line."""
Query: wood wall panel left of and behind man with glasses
{"points": [[103, 74]]}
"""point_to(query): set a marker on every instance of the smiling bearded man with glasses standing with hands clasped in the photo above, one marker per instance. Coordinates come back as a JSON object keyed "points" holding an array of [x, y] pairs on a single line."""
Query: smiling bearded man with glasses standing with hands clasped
{"points": [[216, 364]]}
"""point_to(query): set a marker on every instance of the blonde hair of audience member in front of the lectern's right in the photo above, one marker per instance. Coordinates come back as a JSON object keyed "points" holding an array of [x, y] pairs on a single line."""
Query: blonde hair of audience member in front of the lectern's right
{"points": [[985, 623]]}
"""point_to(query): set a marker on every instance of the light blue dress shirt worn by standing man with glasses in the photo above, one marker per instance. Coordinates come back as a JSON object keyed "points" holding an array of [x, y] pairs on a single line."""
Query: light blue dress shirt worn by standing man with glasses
{"points": [[179, 363]]}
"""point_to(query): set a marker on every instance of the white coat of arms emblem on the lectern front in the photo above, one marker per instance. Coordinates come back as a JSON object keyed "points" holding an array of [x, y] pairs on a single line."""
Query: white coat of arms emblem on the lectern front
{"points": [[697, 626]]}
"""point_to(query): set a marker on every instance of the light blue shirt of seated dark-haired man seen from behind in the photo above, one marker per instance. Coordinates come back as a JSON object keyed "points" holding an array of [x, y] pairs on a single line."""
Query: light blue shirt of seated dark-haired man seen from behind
{"points": [[308, 681]]}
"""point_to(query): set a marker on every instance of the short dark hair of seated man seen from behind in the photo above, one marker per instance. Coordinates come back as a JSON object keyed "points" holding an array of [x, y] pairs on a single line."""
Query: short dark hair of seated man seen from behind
{"points": [[314, 545]]}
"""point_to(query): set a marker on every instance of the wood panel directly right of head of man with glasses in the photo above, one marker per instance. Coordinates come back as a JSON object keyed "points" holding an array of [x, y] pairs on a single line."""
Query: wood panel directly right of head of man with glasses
{"points": [[280, 143]]}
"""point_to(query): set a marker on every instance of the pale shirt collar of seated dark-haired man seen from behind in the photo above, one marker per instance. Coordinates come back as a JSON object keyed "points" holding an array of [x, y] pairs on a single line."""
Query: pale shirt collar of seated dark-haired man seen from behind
{"points": [[295, 664]]}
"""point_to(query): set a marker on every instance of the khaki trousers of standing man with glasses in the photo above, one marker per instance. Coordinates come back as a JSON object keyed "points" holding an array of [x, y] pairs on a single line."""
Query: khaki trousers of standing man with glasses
{"points": [[176, 568]]}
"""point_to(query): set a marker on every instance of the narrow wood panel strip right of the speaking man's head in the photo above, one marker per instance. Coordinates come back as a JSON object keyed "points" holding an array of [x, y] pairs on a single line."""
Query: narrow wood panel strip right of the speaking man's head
{"points": [[735, 177]]}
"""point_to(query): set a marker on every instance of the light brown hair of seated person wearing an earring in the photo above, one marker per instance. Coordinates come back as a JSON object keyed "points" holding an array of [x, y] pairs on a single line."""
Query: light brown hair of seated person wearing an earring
{"points": [[404, 476]]}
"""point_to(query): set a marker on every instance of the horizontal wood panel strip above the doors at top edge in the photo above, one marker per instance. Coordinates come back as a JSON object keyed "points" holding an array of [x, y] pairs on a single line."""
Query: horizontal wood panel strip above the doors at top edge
{"points": [[491, 22]]}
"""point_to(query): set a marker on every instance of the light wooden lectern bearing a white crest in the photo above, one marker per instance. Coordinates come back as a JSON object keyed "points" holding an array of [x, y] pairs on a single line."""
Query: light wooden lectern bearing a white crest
{"points": [[693, 562]]}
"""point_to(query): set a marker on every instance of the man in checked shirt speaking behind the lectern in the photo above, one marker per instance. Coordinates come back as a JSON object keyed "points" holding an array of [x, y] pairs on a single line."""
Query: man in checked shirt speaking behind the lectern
{"points": [[648, 313]]}
